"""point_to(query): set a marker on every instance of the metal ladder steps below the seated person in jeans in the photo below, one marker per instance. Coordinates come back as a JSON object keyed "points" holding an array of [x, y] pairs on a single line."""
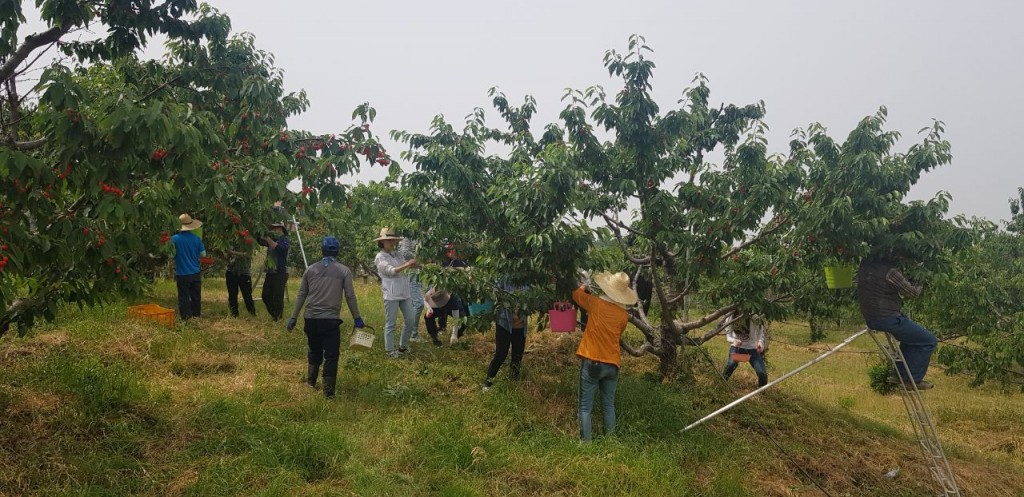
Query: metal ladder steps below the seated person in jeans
{"points": [[922, 422]]}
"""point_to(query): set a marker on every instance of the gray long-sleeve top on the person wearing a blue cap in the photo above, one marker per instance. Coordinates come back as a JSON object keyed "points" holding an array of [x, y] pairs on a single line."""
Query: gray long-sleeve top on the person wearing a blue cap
{"points": [[322, 289]]}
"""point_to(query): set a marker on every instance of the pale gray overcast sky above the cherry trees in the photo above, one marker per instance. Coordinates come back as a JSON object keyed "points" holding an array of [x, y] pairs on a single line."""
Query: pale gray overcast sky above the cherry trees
{"points": [[809, 61]]}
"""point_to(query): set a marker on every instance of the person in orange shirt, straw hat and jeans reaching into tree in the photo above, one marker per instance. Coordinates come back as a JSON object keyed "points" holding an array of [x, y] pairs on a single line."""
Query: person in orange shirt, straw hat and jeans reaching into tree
{"points": [[600, 350]]}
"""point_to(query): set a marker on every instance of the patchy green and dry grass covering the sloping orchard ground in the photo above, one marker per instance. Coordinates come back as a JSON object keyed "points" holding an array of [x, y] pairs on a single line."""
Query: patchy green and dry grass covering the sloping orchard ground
{"points": [[96, 404]]}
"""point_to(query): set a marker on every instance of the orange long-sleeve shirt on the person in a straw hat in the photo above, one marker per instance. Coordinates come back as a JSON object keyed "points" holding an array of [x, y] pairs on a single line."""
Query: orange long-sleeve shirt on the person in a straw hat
{"points": [[606, 324]]}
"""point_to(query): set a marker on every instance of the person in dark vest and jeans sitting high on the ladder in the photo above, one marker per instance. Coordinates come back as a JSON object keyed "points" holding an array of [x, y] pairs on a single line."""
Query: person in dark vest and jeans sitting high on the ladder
{"points": [[880, 288]]}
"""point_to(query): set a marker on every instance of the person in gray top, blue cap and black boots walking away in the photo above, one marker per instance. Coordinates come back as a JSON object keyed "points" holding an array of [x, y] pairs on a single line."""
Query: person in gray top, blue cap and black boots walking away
{"points": [[322, 288]]}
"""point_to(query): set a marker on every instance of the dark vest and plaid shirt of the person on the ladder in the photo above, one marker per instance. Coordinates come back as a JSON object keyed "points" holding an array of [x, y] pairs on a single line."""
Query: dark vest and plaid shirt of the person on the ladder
{"points": [[880, 286]]}
